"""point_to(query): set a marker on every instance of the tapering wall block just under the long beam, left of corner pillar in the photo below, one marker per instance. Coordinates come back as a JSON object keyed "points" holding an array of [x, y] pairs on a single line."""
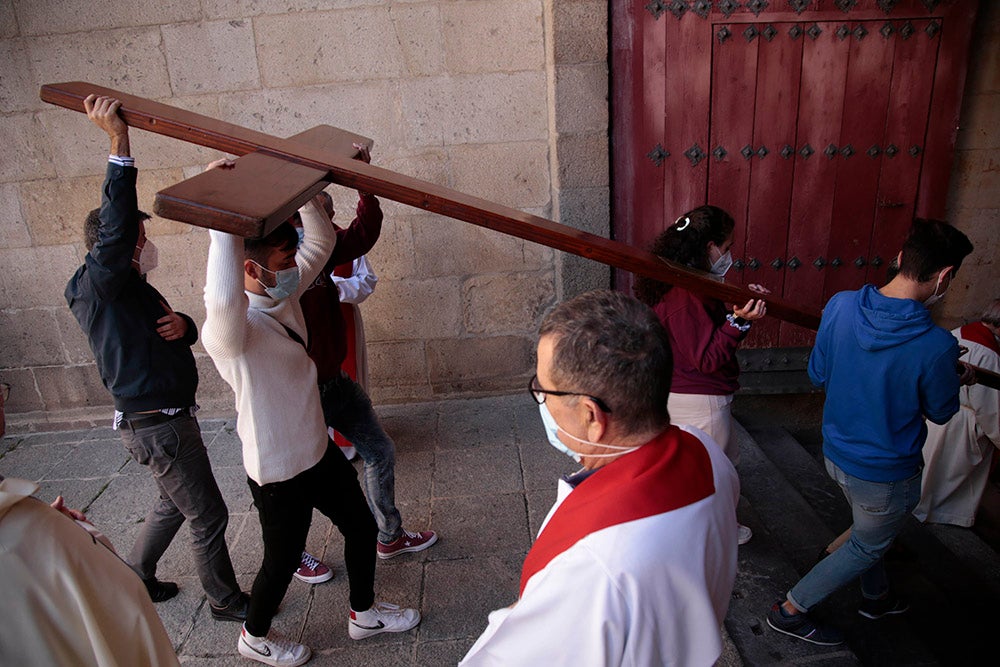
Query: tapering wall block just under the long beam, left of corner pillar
{"points": [[446, 247]]}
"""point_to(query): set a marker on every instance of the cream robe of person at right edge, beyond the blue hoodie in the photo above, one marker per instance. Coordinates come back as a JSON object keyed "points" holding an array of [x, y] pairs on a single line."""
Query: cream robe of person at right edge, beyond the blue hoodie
{"points": [[957, 454]]}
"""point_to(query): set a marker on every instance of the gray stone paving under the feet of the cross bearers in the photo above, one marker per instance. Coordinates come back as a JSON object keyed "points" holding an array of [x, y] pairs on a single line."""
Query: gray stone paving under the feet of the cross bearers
{"points": [[477, 471]]}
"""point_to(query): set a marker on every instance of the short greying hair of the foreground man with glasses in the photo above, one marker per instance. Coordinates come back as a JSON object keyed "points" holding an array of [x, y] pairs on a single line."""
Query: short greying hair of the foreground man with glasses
{"points": [[611, 346]]}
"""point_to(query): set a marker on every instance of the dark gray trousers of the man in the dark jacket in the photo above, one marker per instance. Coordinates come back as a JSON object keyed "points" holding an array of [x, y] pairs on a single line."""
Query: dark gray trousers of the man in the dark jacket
{"points": [[175, 454]]}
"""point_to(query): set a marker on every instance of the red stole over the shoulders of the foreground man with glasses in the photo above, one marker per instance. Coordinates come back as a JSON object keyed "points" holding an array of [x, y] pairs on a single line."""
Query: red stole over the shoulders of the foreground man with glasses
{"points": [[669, 472]]}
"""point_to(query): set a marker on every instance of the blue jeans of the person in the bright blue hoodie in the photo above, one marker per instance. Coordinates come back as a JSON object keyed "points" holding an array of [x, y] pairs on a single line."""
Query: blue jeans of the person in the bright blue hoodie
{"points": [[879, 510]]}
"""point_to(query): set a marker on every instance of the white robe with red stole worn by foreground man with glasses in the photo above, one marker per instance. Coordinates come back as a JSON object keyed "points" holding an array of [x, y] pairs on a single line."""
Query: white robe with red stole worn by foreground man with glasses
{"points": [[633, 567]]}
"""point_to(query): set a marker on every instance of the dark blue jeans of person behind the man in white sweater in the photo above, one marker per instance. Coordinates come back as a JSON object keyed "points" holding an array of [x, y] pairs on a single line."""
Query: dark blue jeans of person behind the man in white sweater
{"points": [[348, 410]]}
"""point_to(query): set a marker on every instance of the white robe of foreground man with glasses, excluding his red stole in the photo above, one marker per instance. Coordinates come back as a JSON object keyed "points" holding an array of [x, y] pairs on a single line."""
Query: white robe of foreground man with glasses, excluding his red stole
{"points": [[650, 591]]}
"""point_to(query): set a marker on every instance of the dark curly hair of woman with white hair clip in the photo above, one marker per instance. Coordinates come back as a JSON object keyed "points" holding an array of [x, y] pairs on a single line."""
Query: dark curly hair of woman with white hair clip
{"points": [[686, 242]]}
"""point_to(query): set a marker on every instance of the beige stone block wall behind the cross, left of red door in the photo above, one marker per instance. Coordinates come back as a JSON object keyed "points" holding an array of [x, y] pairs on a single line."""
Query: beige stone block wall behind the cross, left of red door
{"points": [[503, 99]]}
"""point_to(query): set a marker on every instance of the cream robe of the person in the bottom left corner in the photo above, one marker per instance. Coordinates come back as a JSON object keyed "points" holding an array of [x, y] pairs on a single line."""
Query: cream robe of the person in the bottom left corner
{"points": [[66, 598]]}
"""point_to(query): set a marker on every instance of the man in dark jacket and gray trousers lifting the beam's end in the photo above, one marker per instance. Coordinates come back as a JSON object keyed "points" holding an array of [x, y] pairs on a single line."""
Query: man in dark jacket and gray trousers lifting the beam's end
{"points": [[143, 352]]}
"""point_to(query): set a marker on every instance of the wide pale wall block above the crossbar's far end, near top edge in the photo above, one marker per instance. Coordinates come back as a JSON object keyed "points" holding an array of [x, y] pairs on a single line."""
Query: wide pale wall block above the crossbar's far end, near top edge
{"points": [[348, 45]]}
